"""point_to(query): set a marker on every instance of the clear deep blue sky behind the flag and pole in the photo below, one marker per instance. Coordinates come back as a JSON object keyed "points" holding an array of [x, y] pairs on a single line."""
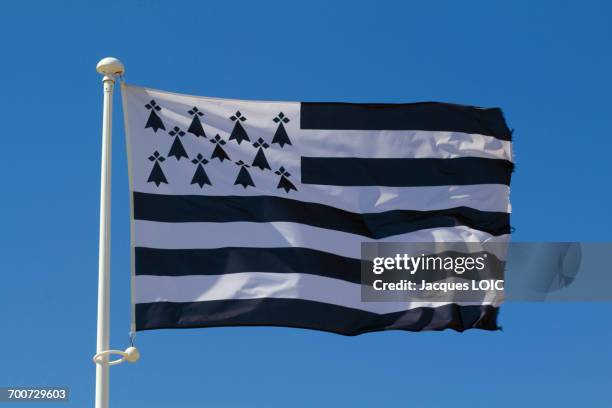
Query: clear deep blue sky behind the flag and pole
{"points": [[548, 64]]}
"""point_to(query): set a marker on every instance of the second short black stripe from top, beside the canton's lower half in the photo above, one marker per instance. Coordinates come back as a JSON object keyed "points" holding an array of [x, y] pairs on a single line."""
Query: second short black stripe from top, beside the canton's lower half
{"points": [[348, 171]]}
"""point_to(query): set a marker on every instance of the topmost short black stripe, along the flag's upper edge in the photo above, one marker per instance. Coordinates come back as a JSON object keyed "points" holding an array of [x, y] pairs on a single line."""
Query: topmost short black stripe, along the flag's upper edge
{"points": [[432, 116]]}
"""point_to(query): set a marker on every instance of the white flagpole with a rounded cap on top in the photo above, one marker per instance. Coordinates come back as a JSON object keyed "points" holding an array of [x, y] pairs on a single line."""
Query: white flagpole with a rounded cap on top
{"points": [[109, 68]]}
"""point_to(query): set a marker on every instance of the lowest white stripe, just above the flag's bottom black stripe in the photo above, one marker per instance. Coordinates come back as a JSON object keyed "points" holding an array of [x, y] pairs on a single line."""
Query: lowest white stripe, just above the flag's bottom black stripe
{"points": [[257, 285]]}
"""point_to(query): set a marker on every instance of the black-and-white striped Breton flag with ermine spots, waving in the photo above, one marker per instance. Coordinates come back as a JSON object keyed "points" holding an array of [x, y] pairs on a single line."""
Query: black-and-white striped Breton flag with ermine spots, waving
{"points": [[249, 213]]}
